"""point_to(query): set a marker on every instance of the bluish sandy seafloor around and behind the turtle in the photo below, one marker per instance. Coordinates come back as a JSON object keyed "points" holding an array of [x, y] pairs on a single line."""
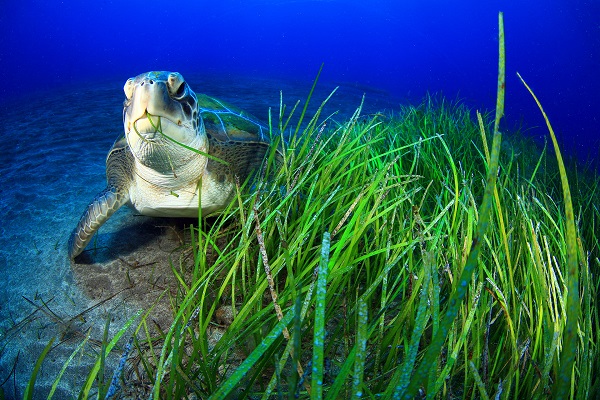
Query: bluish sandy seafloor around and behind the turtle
{"points": [[53, 148]]}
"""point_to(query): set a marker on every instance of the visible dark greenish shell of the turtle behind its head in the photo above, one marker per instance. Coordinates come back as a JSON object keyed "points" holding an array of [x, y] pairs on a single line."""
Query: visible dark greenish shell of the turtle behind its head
{"points": [[228, 124]]}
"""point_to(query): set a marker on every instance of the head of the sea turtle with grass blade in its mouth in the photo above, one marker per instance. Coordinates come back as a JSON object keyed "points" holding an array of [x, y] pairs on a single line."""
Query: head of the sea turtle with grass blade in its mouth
{"points": [[159, 109]]}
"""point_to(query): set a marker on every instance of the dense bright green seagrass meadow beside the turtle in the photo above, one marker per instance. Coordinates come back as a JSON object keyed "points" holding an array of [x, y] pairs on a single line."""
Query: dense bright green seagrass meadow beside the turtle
{"points": [[418, 255]]}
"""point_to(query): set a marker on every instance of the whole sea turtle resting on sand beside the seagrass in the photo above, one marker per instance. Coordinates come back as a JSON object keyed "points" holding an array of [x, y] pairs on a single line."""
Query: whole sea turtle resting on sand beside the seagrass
{"points": [[180, 150]]}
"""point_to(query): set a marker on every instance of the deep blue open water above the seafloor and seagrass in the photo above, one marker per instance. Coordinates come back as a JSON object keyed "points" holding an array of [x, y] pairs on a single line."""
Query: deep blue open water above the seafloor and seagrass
{"points": [[401, 48]]}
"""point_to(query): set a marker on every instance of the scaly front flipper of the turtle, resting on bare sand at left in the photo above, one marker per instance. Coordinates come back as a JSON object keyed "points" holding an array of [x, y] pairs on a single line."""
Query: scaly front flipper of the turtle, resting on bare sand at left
{"points": [[104, 205]]}
